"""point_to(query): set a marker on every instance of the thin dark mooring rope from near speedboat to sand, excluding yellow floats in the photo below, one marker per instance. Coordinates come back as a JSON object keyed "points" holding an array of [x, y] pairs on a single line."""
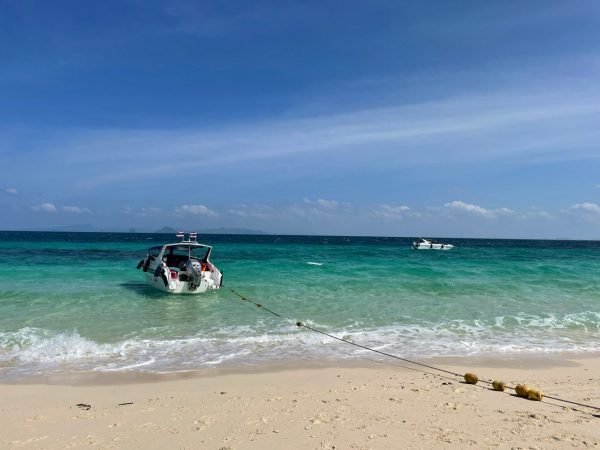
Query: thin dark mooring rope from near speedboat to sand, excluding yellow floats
{"points": [[396, 357]]}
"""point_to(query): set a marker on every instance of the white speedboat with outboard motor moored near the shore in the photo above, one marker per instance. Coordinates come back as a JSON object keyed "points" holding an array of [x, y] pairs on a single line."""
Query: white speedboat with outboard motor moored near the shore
{"points": [[181, 268]]}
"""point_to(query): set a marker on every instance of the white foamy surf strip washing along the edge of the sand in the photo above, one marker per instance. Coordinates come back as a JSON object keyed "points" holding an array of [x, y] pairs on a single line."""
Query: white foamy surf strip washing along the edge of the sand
{"points": [[34, 350]]}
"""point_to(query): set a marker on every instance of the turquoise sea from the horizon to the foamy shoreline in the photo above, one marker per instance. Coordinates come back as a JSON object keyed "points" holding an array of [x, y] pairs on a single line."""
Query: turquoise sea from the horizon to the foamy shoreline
{"points": [[75, 302]]}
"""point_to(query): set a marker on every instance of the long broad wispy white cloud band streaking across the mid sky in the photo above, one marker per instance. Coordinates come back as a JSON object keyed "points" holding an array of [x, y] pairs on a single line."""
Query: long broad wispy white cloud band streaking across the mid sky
{"points": [[453, 131]]}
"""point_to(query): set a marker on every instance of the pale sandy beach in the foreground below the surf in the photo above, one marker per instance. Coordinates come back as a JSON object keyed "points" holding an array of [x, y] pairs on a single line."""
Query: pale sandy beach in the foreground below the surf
{"points": [[372, 406]]}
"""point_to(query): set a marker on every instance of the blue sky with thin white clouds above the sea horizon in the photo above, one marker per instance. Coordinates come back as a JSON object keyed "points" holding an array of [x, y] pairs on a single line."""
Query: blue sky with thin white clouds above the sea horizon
{"points": [[387, 118]]}
